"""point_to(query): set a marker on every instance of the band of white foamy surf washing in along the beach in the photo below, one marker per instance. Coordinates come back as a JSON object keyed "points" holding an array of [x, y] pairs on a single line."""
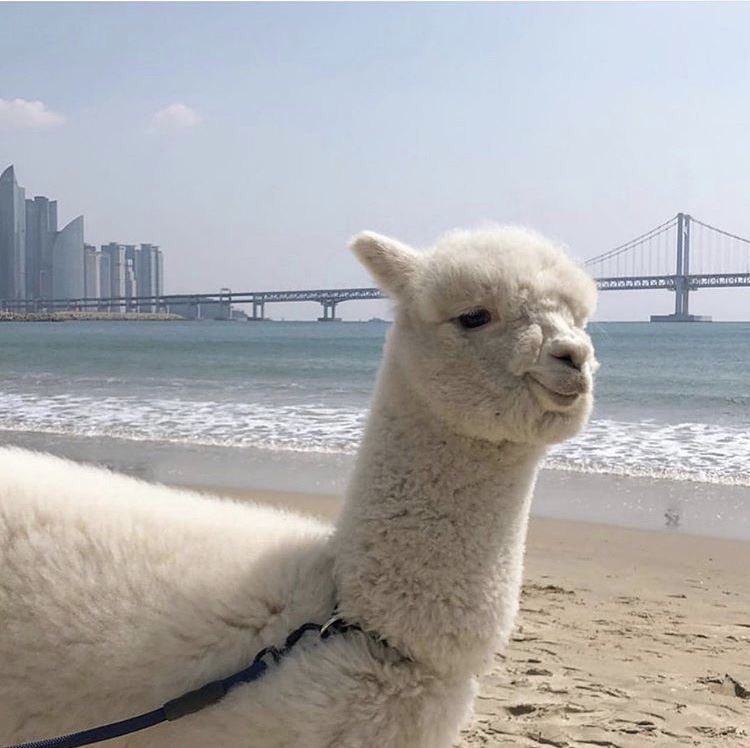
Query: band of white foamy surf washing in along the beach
{"points": [[686, 451]]}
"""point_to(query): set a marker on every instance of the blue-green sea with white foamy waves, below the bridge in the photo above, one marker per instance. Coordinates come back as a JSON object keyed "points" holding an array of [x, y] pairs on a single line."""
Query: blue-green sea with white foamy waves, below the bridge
{"points": [[673, 401]]}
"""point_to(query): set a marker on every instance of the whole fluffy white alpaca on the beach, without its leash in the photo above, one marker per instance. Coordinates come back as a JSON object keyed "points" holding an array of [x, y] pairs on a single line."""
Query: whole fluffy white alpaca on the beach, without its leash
{"points": [[116, 595]]}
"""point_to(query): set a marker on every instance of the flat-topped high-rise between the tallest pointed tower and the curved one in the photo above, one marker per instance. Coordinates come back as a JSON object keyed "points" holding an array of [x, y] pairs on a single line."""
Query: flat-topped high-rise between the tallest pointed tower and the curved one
{"points": [[41, 228]]}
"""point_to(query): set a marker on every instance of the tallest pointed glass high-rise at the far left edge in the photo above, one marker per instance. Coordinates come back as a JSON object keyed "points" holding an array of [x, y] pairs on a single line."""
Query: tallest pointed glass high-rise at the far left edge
{"points": [[12, 237]]}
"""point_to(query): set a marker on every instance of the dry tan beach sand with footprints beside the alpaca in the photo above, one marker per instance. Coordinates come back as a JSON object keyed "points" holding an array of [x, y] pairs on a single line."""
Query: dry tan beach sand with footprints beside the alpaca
{"points": [[626, 638]]}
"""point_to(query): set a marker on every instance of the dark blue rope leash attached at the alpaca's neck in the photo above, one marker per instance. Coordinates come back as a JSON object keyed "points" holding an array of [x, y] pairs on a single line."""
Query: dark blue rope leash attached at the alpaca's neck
{"points": [[192, 701]]}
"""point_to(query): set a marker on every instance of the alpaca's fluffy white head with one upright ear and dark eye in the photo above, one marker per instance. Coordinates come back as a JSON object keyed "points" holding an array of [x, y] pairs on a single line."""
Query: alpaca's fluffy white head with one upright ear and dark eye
{"points": [[489, 331]]}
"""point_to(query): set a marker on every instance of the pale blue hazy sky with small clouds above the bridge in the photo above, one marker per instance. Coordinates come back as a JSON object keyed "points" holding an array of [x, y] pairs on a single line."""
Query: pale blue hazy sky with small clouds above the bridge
{"points": [[251, 141]]}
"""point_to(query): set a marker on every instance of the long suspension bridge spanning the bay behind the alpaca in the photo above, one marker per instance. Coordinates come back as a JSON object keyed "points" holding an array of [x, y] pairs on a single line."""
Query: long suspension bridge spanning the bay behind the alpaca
{"points": [[681, 255]]}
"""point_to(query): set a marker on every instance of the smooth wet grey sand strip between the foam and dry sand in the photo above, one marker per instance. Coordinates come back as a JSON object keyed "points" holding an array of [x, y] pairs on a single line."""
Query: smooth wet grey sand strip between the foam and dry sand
{"points": [[678, 507]]}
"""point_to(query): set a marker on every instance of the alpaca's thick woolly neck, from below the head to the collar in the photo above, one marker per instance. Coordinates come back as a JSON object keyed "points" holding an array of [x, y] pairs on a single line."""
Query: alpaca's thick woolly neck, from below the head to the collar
{"points": [[430, 540]]}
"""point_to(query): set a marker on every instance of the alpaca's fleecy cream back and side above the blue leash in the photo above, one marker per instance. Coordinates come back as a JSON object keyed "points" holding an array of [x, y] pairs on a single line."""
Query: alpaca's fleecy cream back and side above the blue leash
{"points": [[137, 592]]}
